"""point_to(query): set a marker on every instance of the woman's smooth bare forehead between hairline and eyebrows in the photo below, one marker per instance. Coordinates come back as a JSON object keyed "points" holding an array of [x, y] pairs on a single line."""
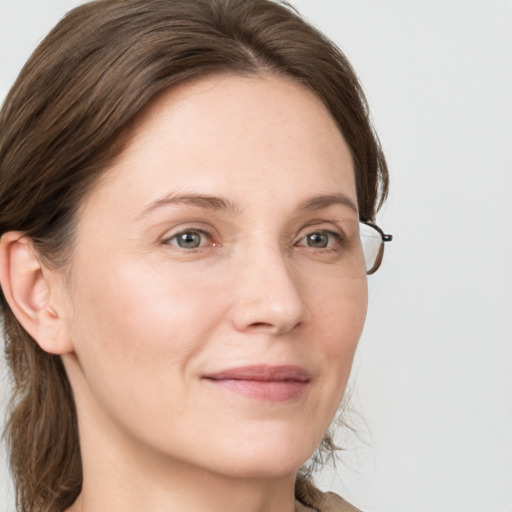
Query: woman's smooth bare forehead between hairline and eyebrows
{"points": [[225, 135]]}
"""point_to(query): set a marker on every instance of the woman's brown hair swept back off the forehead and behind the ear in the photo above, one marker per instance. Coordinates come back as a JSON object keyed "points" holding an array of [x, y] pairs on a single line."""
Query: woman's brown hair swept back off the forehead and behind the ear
{"points": [[67, 117]]}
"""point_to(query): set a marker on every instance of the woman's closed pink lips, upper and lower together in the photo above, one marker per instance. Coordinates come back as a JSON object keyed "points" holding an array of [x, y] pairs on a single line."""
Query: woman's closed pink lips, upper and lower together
{"points": [[263, 382]]}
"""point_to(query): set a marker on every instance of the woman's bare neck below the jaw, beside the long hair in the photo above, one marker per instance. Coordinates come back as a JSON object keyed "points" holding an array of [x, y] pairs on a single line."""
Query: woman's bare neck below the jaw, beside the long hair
{"points": [[120, 476]]}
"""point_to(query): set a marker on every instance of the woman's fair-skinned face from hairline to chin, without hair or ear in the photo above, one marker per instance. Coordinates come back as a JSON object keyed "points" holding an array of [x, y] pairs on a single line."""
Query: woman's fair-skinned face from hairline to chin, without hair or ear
{"points": [[214, 302]]}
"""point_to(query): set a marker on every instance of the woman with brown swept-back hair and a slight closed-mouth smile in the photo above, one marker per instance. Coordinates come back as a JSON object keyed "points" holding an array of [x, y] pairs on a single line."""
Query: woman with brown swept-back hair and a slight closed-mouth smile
{"points": [[183, 278]]}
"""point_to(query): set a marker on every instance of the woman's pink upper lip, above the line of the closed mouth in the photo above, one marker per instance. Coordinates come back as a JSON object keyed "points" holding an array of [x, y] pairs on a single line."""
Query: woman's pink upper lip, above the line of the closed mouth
{"points": [[262, 372]]}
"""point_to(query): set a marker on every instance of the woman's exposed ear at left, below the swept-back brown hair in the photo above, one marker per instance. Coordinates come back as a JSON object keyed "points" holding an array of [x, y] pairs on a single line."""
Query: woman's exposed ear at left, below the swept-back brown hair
{"points": [[32, 293]]}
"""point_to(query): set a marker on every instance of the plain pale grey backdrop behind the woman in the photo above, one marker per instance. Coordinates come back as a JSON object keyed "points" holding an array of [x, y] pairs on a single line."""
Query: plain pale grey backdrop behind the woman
{"points": [[432, 383]]}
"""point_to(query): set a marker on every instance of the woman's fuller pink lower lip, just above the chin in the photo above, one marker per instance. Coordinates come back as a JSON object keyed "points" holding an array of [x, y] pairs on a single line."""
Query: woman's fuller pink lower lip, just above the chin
{"points": [[267, 391]]}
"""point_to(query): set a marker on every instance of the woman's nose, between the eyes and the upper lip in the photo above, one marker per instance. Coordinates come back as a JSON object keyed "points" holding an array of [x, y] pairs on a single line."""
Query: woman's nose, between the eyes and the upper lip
{"points": [[269, 297]]}
